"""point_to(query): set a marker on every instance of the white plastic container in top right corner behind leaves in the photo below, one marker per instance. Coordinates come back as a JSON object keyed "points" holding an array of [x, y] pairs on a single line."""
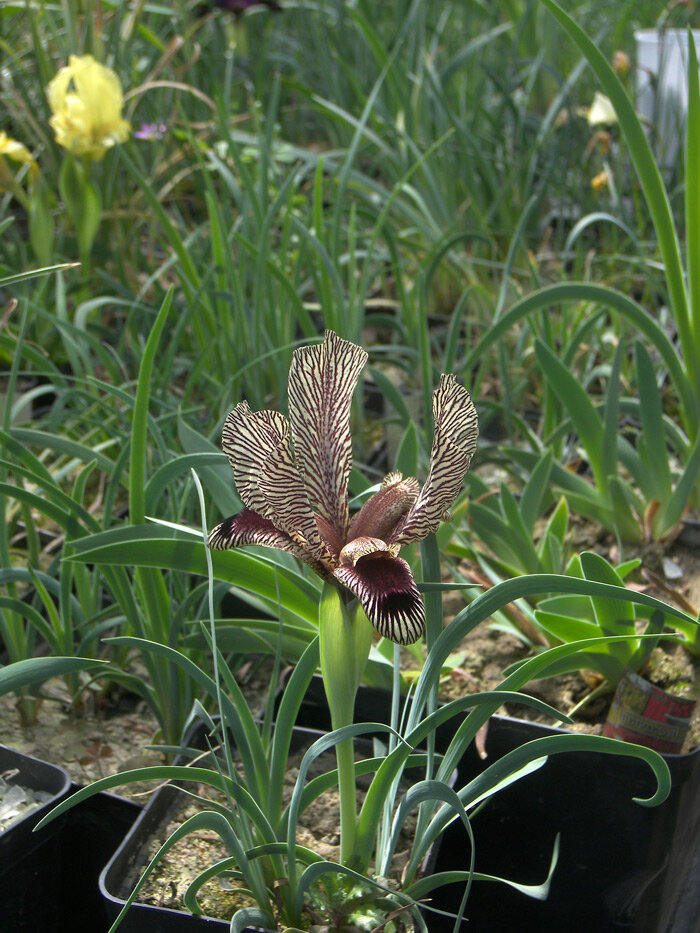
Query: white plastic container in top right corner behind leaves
{"points": [[662, 88]]}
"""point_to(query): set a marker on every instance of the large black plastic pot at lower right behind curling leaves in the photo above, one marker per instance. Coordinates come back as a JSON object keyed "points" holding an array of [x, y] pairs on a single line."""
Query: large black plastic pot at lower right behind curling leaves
{"points": [[621, 866]]}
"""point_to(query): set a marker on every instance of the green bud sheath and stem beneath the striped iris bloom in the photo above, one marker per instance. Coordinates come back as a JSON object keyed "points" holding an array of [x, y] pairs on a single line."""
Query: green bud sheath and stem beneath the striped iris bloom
{"points": [[345, 642]]}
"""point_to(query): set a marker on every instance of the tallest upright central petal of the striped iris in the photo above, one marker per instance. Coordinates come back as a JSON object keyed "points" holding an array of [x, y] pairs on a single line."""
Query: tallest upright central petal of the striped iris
{"points": [[322, 380]]}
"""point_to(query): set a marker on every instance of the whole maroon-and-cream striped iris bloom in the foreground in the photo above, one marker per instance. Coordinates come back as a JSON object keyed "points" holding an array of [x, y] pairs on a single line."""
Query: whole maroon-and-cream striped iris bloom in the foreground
{"points": [[292, 475]]}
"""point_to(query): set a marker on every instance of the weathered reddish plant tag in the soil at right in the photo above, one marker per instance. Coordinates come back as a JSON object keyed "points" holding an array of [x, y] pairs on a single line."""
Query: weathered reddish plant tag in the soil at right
{"points": [[645, 714]]}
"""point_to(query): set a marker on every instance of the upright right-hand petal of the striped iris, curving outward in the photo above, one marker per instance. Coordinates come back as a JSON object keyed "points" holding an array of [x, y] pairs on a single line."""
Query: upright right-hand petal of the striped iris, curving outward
{"points": [[454, 442]]}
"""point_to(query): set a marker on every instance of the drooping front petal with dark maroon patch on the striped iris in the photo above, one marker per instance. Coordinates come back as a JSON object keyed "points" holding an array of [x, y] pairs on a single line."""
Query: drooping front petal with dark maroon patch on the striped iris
{"points": [[387, 592]]}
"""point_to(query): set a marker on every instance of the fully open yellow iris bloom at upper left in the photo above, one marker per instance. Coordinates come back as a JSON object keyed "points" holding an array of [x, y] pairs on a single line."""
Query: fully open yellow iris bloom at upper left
{"points": [[86, 101]]}
